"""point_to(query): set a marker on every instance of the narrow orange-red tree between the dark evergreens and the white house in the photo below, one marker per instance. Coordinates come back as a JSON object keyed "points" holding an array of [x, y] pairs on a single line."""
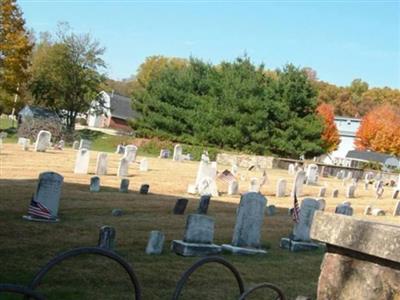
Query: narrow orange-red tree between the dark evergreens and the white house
{"points": [[330, 135]]}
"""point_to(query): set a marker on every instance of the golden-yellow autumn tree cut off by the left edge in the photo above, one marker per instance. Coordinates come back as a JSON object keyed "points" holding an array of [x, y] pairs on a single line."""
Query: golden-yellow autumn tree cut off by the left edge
{"points": [[15, 50]]}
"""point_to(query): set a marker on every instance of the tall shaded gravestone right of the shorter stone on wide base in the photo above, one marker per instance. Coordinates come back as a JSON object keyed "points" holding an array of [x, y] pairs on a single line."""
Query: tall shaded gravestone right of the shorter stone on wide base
{"points": [[249, 221]]}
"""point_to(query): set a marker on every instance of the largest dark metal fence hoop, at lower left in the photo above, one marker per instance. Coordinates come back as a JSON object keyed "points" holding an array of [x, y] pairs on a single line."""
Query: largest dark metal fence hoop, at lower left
{"points": [[88, 250]]}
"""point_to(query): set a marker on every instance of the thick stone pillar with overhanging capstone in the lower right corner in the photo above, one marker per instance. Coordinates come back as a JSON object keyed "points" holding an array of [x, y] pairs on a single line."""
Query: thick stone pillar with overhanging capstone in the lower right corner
{"points": [[362, 259]]}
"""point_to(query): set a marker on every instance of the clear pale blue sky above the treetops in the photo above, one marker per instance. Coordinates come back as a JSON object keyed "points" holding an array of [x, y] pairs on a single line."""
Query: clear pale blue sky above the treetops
{"points": [[341, 40]]}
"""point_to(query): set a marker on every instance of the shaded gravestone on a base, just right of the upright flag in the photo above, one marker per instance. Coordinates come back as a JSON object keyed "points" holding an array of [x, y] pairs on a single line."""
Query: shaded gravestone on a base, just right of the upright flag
{"points": [[300, 240]]}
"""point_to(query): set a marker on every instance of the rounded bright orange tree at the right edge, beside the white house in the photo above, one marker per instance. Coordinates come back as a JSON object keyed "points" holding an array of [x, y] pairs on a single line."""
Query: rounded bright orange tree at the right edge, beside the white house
{"points": [[380, 130]]}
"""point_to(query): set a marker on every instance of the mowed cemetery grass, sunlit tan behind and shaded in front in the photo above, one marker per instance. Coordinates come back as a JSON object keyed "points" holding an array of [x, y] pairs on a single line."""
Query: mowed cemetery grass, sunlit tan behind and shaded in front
{"points": [[26, 246]]}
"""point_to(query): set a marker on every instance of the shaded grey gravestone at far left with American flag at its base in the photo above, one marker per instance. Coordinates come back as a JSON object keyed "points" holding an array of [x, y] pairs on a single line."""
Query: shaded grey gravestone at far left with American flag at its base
{"points": [[45, 202]]}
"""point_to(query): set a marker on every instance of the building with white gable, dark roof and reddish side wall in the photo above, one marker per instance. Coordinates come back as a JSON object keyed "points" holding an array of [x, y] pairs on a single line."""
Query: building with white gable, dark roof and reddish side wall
{"points": [[116, 111]]}
